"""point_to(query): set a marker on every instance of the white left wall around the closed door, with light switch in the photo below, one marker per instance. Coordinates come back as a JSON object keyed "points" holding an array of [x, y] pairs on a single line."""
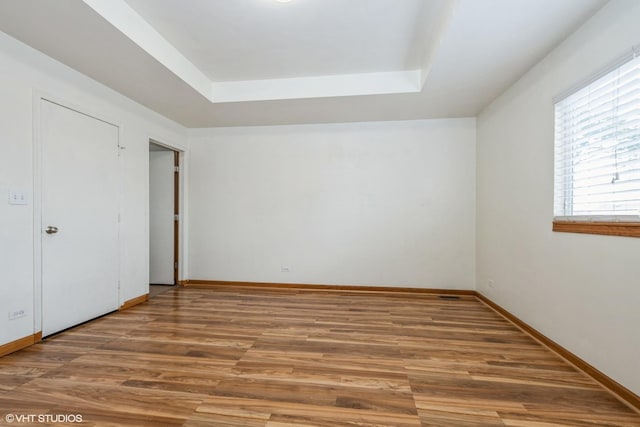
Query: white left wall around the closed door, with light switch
{"points": [[24, 73]]}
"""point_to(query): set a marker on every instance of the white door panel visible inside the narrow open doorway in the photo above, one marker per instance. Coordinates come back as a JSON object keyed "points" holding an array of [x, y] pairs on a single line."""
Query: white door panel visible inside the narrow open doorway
{"points": [[161, 217]]}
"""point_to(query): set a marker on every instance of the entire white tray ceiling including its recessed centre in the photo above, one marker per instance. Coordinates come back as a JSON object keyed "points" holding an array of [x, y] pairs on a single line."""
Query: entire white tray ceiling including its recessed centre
{"points": [[206, 63]]}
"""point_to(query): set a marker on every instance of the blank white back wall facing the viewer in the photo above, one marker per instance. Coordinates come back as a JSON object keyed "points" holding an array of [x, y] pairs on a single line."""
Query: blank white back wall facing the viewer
{"points": [[387, 203]]}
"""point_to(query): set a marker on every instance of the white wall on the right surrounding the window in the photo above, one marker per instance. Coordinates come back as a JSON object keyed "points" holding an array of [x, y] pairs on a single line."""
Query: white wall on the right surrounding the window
{"points": [[582, 291]]}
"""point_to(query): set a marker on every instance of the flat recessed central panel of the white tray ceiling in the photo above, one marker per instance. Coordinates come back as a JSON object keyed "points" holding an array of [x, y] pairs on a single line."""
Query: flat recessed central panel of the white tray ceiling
{"points": [[265, 39]]}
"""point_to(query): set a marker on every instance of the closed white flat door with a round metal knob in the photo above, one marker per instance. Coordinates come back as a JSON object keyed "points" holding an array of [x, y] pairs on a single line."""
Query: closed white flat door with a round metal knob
{"points": [[79, 217]]}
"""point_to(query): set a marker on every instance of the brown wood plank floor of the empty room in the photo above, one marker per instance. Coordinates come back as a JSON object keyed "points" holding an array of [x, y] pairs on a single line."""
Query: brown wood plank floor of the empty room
{"points": [[278, 358]]}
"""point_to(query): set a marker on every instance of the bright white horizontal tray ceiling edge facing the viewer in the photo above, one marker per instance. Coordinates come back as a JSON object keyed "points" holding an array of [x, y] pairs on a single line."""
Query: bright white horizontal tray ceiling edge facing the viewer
{"points": [[318, 86]]}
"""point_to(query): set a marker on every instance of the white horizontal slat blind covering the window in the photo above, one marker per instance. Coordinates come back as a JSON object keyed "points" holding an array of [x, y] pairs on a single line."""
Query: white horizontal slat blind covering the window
{"points": [[597, 149]]}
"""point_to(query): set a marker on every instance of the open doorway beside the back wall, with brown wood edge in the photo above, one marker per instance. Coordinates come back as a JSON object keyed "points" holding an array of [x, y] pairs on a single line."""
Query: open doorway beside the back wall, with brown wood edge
{"points": [[164, 214]]}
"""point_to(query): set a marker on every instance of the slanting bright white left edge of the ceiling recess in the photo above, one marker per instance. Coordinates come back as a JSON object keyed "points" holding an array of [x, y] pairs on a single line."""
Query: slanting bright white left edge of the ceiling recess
{"points": [[119, 14]]}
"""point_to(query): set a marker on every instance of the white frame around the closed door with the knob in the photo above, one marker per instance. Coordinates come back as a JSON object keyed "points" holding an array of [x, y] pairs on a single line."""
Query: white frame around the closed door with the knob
{"points": [[38, 97]]}
